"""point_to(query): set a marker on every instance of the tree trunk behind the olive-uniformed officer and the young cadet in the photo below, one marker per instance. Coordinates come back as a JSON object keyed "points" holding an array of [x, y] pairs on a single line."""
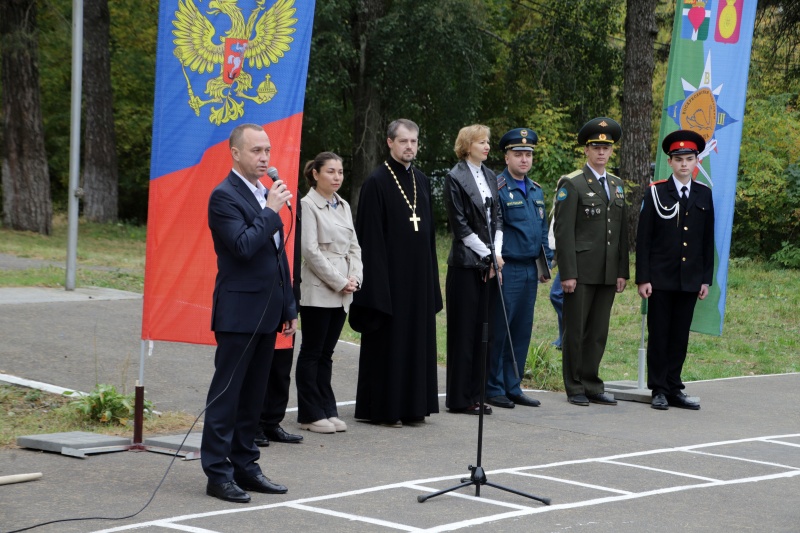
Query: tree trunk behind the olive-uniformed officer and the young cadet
{"points": [[637, 103]]}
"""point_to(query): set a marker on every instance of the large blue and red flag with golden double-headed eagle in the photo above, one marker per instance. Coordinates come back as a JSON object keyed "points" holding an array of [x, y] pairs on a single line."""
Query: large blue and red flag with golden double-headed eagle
{"points": [[219, 63]]}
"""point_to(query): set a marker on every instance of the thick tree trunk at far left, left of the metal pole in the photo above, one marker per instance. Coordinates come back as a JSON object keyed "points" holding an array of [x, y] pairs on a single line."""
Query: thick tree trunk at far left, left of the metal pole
{"points": [[25, 177]]}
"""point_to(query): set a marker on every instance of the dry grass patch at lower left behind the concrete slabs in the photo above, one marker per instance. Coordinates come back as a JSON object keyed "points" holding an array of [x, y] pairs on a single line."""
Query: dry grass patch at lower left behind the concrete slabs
{"points": [[26, 411]]}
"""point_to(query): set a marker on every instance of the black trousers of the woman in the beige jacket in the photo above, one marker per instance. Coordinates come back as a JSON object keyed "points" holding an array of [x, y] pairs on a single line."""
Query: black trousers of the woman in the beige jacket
{"points": [[321, 329]]}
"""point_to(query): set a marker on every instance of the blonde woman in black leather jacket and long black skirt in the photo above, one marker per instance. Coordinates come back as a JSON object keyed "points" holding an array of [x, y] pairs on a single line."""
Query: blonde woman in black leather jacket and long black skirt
{"points": [[470, 281]]}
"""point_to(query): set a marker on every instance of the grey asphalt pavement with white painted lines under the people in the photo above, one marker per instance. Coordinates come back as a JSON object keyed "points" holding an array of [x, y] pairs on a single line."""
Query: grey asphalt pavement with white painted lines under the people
{"points": [[732, 466]]}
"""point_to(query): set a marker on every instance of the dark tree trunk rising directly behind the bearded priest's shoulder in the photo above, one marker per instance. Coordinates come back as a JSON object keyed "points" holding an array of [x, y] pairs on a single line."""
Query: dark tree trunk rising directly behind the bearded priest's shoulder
{"points": [[369, 130]]}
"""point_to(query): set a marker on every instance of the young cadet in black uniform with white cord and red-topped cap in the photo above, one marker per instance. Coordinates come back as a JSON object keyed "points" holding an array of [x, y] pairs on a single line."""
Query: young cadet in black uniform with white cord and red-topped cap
{"points": [[674, 265]]}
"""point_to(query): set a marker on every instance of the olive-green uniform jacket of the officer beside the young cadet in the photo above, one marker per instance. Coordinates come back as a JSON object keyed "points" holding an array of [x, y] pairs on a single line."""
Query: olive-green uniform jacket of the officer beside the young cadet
{"points": [[591, 233]]}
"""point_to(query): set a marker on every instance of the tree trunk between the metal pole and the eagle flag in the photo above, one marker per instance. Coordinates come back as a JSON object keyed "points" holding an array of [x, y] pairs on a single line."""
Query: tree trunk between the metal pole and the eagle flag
{"points": [[100, 173]]}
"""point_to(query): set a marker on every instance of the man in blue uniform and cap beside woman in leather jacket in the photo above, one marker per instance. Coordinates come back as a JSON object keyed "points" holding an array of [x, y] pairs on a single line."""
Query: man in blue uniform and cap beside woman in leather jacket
{"points": [[524, 238]]}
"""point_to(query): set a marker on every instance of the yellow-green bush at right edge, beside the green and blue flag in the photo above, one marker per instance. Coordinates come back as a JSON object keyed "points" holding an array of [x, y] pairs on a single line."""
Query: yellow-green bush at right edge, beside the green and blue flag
{"points": [[767, 212]]}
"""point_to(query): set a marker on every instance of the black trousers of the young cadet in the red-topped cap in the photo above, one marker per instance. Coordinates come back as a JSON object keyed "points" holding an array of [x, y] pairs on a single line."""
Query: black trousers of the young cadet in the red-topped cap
{"points": [[669, 317]]}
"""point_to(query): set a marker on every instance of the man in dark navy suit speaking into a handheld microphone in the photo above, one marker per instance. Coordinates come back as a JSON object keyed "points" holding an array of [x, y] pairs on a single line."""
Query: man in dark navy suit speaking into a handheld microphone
{"points": [[252, 301]]}
